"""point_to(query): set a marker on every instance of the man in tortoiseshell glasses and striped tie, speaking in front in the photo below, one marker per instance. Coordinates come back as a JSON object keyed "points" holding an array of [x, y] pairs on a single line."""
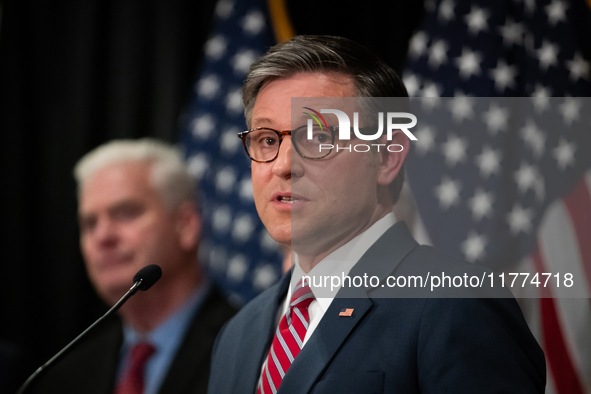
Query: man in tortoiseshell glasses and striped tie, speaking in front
{"points": [[333, 205]]}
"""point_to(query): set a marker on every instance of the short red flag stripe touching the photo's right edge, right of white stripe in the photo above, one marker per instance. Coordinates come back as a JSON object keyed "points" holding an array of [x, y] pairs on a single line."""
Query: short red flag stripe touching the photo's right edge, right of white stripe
{"points": [[578, 204]]}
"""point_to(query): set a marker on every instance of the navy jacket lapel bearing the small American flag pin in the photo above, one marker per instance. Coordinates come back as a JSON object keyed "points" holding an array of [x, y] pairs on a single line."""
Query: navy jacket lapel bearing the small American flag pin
{"points": [[380, 260]]}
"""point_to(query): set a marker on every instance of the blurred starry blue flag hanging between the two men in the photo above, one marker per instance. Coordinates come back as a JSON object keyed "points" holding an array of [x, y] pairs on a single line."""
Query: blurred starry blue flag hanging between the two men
{"points": [[240, 255]]}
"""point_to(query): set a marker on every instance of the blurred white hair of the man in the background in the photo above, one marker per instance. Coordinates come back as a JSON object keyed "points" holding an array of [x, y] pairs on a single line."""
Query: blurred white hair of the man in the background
{"points": [[168, 174]]}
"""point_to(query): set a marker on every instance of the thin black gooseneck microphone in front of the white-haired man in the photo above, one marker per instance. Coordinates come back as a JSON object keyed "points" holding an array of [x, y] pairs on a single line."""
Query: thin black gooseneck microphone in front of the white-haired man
{"points": [[143, 280]]}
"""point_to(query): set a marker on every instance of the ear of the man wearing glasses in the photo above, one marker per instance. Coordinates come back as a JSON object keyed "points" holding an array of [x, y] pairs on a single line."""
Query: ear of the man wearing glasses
{"points": [[392, 156]]}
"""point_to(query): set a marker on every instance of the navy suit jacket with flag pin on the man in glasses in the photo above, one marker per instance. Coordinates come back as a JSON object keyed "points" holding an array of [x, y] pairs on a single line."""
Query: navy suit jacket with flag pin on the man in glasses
{"points": [[389, 345]]}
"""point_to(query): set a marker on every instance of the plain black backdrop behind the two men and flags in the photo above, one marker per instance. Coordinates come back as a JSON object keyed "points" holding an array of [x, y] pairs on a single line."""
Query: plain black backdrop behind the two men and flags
{"points": [[74, 74]]}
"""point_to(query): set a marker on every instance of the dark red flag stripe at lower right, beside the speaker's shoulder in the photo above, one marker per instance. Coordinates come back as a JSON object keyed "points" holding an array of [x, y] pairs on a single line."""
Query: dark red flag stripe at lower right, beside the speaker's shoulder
{"points": [[566, 380]]}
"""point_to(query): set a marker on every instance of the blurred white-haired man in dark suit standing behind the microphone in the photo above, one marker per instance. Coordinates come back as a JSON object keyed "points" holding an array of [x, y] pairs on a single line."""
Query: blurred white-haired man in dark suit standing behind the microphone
{"points": [[137, 207]]}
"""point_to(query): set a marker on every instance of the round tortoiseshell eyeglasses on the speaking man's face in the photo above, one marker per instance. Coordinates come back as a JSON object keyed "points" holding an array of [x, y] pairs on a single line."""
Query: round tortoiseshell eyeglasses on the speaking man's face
{"points": [[262, 143]]}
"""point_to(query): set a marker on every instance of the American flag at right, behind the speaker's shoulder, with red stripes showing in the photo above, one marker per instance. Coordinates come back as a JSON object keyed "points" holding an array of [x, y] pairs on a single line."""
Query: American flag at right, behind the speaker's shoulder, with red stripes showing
{"points": [[505, 180]]}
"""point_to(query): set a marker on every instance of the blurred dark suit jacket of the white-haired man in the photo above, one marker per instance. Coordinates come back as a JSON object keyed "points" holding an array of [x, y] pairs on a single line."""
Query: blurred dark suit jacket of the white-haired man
{"points": [[91, 368]]}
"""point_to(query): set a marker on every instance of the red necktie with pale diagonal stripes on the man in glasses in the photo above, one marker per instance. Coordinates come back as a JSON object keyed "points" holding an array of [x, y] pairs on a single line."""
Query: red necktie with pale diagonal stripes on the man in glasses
{"points": [[288, 340]]}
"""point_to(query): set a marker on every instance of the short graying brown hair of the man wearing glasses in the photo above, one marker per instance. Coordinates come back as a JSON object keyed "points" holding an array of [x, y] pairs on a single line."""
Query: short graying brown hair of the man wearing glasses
{"points": [[326, 54]]}
